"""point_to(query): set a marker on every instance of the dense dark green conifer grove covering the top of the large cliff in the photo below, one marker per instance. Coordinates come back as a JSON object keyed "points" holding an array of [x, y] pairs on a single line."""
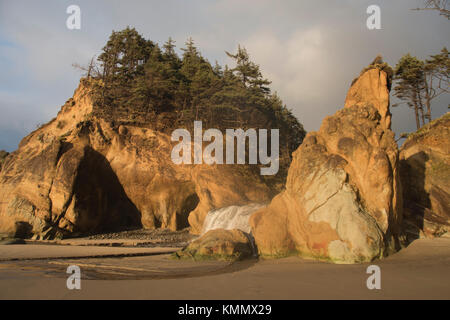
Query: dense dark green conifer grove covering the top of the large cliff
{"points": [[138, 82]]}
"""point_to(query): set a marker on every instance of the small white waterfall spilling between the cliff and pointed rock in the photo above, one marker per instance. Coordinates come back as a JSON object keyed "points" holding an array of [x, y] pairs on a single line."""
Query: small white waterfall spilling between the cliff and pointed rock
{"points": [[233, 217]]}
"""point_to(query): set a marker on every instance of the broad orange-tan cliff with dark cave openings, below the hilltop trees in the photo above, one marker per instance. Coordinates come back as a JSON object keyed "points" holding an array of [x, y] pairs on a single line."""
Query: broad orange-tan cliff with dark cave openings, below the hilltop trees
{"points": [[83, 173]]}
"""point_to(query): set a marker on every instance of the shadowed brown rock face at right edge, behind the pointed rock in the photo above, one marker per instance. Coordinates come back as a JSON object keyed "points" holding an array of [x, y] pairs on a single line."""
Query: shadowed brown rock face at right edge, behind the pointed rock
{"points": [[425, 172]]}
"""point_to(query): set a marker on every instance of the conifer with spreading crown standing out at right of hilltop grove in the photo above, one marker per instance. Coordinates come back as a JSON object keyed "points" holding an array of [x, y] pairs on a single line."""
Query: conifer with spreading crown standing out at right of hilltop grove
{"points": [[248, 71]]}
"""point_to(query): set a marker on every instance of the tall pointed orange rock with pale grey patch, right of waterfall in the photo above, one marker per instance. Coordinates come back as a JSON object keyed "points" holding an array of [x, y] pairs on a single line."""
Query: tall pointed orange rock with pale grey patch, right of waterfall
{"points": [[342, 201]]}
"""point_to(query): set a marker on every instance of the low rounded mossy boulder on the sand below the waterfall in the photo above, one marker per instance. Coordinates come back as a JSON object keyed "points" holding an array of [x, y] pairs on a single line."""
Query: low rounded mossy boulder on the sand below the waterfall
{"points": [[219, 244]]}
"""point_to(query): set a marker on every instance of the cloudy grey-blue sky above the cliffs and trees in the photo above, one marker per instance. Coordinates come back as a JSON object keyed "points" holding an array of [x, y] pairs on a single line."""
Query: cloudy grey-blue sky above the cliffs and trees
{"points": [[311, 50]]}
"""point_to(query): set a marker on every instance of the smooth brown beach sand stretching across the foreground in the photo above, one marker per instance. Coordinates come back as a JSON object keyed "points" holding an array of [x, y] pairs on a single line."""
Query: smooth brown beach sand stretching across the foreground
{"points": [[420, 271]]}
